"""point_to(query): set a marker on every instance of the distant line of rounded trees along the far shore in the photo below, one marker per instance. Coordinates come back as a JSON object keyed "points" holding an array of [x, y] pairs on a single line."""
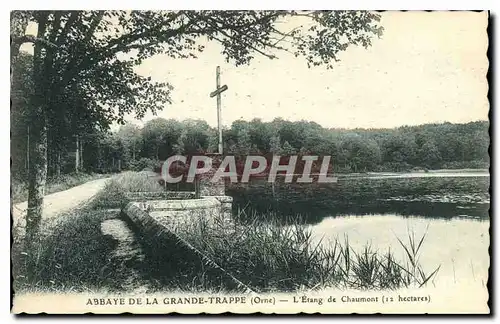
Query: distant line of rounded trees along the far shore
{"points": [[431, 146]]}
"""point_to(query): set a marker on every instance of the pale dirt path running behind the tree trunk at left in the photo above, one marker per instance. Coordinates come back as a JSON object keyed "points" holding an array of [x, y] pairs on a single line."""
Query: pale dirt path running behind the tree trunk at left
{"points": [[61, 201]]}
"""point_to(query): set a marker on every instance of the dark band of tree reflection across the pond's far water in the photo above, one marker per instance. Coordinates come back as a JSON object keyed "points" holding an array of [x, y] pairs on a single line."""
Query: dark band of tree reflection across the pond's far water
{"points": [[430, 197]]}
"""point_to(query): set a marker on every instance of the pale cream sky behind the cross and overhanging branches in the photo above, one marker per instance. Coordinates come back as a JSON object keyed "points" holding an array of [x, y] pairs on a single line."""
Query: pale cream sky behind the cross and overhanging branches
{"points": [[428, 67]]}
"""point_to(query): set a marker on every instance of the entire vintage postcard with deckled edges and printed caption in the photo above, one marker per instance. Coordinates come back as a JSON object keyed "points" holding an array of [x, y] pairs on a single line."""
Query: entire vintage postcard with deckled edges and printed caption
{"points": [[250, 161]]}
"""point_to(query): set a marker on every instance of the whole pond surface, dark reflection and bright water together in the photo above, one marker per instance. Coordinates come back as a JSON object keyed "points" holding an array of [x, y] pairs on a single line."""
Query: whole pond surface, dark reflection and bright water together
{"points": [[450, 208]]}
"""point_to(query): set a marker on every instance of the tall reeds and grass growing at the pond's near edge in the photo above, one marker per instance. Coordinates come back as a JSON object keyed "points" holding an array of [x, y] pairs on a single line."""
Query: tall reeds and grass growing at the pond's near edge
{"points": [[270, 257]]}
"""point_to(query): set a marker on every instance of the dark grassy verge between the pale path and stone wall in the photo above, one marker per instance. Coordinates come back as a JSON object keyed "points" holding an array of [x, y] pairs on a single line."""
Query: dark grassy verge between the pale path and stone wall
{"points": [[74, 254]]}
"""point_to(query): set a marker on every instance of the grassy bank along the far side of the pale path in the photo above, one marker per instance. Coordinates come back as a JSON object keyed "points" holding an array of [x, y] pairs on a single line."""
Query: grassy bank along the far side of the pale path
{"points": [[19, 189]]}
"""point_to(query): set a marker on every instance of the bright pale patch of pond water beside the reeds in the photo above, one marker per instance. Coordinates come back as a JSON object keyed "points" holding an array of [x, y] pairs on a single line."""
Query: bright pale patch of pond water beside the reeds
{"points": [[459, 246]]}
